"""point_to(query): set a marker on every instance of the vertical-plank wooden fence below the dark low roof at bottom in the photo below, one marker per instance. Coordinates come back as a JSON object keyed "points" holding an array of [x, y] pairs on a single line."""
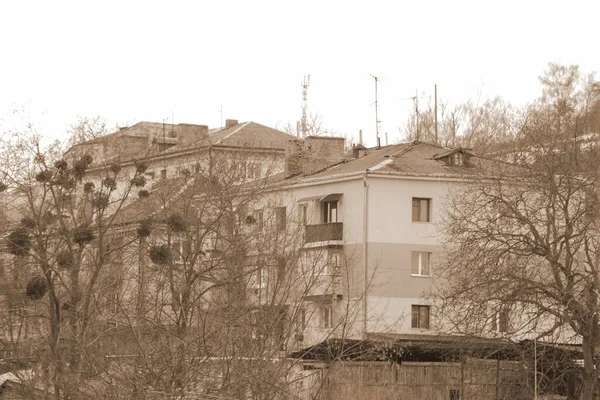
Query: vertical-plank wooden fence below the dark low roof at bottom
{"points": [[470, 380]]}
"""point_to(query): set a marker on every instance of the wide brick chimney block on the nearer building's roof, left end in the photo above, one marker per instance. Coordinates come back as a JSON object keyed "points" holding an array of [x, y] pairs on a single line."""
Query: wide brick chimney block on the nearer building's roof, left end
{"points": [[313, 154]]}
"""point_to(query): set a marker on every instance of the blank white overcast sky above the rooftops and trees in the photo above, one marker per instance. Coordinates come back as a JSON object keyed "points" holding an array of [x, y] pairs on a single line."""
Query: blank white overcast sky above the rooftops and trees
{"points": [[152, 61]]}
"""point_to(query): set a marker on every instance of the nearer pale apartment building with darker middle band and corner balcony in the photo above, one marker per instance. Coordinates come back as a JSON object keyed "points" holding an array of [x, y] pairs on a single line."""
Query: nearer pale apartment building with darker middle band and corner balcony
{"points": [[375, 214]]}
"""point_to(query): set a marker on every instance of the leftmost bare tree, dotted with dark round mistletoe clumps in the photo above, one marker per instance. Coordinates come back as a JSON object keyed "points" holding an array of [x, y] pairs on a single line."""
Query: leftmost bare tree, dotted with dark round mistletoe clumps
{"points": [[59, 243]]}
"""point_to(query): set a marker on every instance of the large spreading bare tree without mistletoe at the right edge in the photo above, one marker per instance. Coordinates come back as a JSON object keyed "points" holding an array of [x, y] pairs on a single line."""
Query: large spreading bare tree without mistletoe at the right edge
{"points": [[522, 240]]}
